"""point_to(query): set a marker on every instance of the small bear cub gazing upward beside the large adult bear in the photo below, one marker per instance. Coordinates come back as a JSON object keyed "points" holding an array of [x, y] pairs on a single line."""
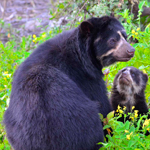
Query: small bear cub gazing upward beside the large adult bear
{"points": [[129, 90]]}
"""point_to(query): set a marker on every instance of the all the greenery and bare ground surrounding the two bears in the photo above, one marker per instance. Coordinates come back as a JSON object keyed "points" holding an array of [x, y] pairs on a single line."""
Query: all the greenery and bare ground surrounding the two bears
{"points": [[20, 35]]}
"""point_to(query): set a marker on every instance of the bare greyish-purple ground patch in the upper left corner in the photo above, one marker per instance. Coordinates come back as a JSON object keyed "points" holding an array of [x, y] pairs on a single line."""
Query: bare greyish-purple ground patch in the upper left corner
{"points": [[24, 16]]}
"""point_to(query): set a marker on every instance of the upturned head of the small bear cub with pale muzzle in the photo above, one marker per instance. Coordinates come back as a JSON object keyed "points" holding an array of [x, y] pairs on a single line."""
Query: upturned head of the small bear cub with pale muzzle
{"points": [[130, 80]]}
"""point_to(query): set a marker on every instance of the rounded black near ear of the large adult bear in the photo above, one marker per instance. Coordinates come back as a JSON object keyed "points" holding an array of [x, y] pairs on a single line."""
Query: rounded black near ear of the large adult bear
{"points": [[86, 27]]}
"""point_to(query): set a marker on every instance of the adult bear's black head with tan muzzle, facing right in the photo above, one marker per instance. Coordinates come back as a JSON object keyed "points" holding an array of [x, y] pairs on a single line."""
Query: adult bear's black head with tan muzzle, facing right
{"points": [[106, 40]]}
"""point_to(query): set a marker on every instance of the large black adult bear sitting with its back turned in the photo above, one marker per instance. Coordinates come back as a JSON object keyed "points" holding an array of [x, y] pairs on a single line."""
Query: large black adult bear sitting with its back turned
{"points": [[58, 91]]}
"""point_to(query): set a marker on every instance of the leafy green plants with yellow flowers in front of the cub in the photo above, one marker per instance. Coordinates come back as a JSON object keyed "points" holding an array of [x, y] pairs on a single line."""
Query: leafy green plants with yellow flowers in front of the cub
{"points": [[129, 135]]}
